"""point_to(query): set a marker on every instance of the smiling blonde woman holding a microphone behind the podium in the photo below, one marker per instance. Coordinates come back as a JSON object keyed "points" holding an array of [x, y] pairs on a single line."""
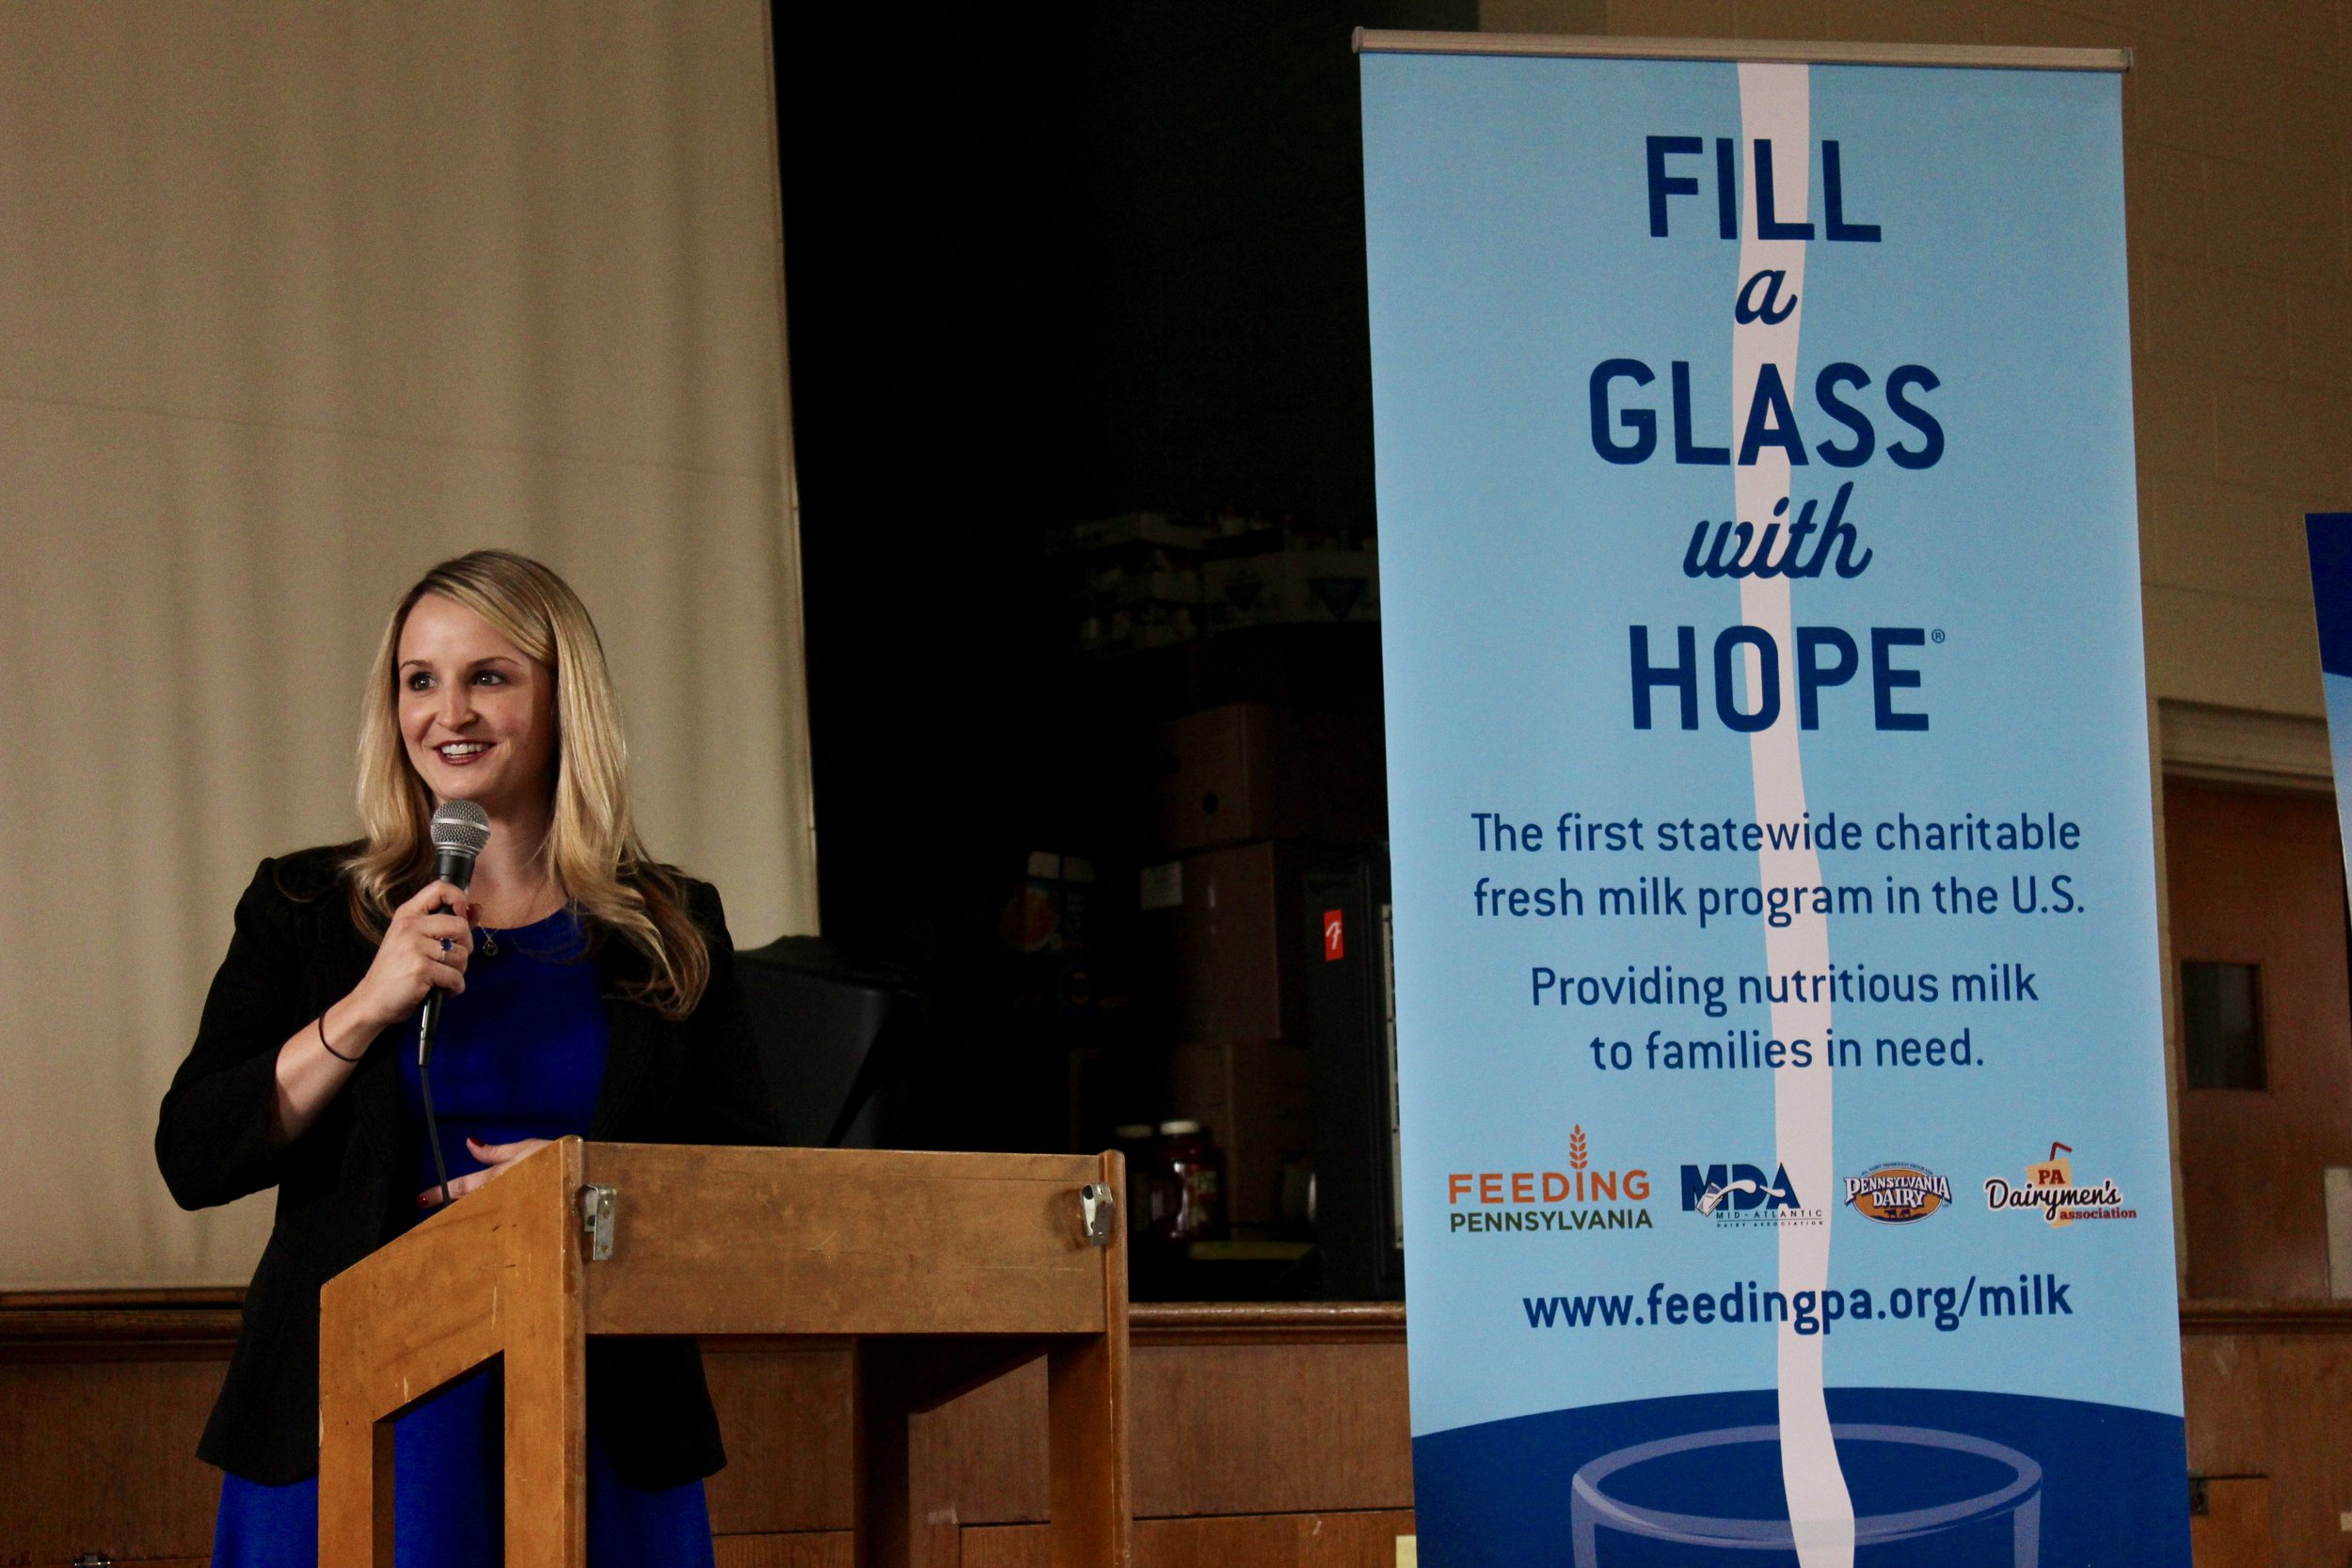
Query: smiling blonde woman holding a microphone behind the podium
{"points": [[589, 991]]}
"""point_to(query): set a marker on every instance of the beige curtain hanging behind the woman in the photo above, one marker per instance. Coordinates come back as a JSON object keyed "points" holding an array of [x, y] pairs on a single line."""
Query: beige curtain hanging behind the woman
{"points": [[298, 300]]}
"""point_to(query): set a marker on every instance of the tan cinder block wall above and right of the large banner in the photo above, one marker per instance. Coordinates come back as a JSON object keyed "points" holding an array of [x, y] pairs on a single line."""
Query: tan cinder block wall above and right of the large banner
{"points": [[2238, 154]]}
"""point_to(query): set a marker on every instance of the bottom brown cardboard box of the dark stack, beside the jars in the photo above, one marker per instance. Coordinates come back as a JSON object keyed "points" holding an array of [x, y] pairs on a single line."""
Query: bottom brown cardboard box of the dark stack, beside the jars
{"points": [[1257, 1099]]}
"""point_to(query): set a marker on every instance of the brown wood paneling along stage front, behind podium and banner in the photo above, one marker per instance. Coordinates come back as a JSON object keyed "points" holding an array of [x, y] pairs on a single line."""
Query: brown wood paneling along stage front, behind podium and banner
{"points": [[1241, 1412]]}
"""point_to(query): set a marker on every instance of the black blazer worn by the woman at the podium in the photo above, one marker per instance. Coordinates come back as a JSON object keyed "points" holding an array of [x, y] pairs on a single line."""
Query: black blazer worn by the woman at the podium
{"points": [[349, 1184]]}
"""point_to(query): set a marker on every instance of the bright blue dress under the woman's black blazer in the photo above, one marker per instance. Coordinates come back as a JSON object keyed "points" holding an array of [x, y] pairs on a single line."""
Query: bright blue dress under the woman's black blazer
{"points": [[521, 1057]]}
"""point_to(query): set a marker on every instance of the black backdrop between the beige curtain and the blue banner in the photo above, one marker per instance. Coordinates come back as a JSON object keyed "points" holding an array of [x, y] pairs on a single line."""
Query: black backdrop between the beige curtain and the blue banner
{"points": [[1050, 264]]}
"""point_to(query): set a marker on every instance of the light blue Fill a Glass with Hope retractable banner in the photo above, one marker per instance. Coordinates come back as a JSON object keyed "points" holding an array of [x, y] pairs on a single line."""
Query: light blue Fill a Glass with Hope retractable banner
{"points": [[1782, 1064]]}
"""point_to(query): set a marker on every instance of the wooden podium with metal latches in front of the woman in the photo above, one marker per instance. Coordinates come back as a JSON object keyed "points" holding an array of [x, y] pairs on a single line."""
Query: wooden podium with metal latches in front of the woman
{"points": [[947, 1271]]}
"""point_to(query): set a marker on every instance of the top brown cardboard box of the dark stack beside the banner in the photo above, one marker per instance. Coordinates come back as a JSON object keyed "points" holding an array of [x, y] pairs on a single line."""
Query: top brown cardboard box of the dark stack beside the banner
{"points": [[1255, 772]]}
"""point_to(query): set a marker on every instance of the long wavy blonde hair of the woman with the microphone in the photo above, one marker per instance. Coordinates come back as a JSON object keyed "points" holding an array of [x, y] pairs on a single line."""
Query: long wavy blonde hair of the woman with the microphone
{"points": [[592, 847]]}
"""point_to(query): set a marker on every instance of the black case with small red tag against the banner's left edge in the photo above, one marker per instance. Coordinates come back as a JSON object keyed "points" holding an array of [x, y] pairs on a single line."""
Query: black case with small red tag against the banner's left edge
{"points": [[1354, 1036]]}
